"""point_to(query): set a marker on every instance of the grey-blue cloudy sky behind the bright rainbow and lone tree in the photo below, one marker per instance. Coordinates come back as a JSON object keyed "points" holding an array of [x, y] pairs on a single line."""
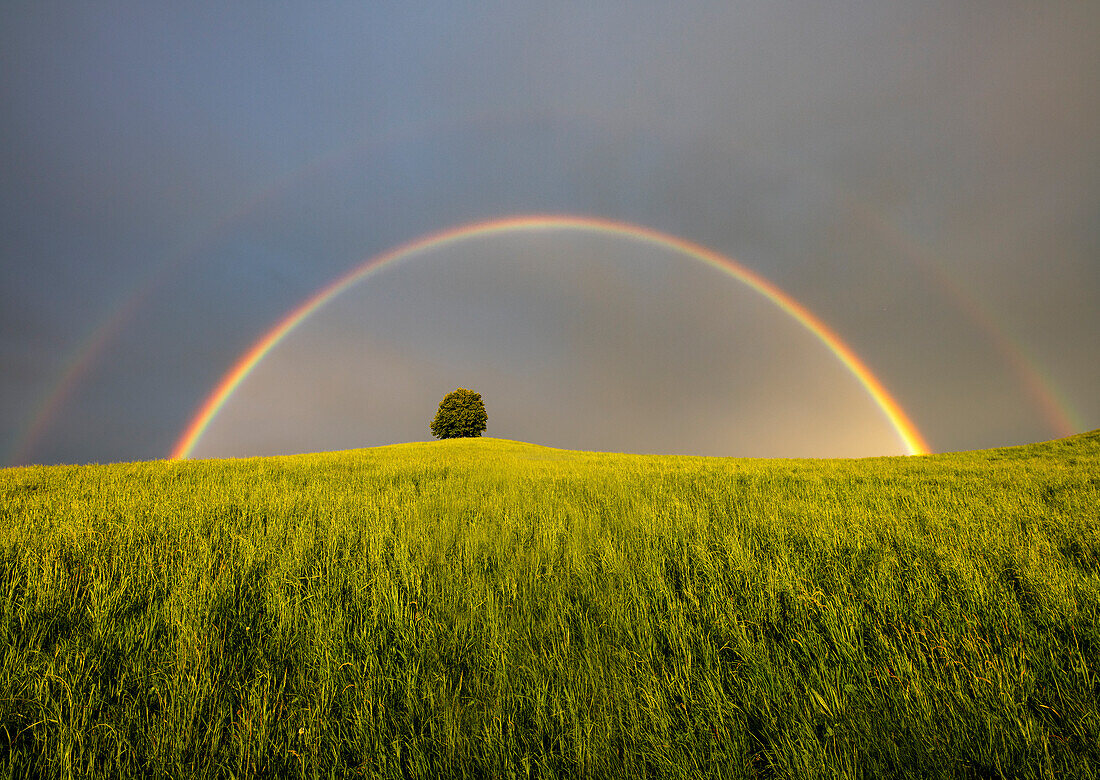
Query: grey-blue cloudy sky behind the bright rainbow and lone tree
{"points": [[923, 178]]}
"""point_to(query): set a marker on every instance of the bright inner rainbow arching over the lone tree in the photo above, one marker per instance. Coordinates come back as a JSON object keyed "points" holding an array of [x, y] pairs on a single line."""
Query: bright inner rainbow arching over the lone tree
{"points": [[907, 432]]}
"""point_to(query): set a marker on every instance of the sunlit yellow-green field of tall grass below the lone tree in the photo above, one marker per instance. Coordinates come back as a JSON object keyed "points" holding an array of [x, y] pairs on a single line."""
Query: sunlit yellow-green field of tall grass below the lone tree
{"points": [[493, 609]]}
